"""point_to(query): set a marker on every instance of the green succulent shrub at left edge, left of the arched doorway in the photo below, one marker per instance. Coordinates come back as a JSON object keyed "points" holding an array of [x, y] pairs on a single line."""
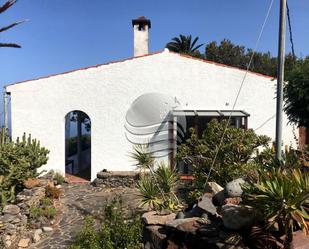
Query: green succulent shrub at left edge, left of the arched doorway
{"points": [[18, 161]]}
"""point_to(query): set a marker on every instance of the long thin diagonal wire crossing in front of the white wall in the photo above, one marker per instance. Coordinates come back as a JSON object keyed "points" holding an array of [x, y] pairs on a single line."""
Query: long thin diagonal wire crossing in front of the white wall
{"points": [[239, 90]]}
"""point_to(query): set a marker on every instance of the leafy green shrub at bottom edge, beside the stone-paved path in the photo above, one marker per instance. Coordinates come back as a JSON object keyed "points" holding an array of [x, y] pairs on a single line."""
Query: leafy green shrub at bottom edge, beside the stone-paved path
{"points": [[116, 231]]}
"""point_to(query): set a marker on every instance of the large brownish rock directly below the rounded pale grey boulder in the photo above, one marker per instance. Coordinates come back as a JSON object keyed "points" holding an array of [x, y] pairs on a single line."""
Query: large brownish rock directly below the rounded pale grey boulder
{"points": [[236, 217]]}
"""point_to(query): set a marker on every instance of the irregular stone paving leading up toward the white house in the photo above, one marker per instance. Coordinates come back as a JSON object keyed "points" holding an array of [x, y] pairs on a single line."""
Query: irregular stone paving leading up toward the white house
{"points": [[79, 200]]}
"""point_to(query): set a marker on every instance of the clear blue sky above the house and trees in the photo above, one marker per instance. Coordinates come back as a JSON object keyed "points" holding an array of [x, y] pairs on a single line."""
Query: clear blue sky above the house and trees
{"points": [[62, 35]]}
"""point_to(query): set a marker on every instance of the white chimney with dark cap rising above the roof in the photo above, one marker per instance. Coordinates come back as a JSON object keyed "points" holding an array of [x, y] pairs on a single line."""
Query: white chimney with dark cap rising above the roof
{"points": [[141, 27]]}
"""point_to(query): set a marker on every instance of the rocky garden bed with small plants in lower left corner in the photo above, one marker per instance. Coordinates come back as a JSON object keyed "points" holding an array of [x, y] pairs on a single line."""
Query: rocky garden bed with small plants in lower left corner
{"points": [[32, 215]]}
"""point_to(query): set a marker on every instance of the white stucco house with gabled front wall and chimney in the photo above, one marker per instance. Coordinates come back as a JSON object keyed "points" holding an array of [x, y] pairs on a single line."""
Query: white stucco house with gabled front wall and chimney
{"points": [[121, 97]]}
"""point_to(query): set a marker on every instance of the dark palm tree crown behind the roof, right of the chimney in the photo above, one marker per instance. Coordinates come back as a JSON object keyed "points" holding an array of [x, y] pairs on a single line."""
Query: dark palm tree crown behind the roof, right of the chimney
{"points": [[184, 44]]}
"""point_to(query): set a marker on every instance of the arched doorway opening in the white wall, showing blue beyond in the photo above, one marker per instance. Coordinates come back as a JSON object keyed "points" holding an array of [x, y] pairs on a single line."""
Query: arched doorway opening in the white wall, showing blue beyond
{"points": [[78, 144]]}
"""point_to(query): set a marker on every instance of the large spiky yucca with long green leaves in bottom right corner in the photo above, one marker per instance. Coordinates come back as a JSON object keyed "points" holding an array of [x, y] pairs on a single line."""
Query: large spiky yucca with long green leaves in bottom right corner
{"points": [[282, 196]]}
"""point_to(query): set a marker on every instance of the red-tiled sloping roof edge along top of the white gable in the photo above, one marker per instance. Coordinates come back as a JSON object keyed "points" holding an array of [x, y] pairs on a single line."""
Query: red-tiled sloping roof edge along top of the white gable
{"points": [[137, 57]]}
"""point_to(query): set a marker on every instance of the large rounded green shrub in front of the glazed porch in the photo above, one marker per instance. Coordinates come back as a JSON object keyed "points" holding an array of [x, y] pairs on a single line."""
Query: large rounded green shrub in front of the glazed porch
{"points": [[237, 149]]}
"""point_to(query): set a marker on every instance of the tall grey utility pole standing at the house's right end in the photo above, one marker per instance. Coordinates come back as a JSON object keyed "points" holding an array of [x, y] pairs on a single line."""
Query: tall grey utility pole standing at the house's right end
{"points": [[280, 77]]}
